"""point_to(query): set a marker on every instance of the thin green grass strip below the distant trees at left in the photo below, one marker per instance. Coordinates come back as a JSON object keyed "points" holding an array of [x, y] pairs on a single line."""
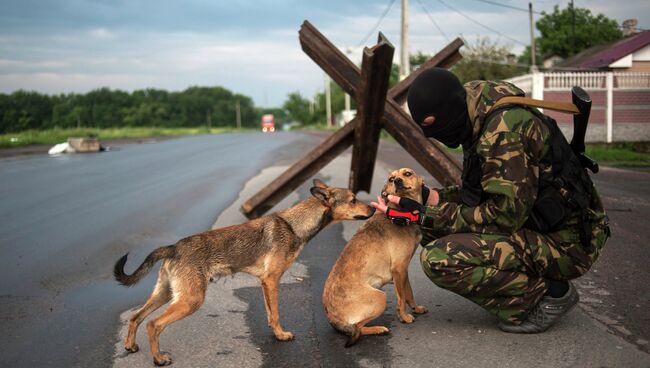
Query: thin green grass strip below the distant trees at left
{"points": [[53, 136]]}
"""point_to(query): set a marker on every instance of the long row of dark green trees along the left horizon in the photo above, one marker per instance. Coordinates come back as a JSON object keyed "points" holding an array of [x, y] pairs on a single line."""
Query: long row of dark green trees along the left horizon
{"points": [[106, 108]]}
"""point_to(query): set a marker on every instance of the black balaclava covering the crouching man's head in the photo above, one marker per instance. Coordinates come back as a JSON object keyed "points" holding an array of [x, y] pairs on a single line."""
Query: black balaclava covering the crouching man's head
{"points": [[437, 92]]}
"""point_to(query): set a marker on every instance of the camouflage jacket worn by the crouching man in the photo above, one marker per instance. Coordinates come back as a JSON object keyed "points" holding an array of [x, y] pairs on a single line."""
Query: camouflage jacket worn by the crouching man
{"points": [[511, 145]]}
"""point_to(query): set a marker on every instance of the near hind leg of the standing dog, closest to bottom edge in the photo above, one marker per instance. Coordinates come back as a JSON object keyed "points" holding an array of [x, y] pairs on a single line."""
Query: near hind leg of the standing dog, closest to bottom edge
{"points": [[188, 301]]}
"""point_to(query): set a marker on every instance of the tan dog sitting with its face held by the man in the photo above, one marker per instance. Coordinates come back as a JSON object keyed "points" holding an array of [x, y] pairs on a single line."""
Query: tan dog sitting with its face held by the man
{"points": [[379, 253]]}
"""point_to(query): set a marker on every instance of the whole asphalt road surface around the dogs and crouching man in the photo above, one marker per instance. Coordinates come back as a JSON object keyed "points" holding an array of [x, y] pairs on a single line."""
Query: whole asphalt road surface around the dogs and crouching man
{"points": [[65, 220]]}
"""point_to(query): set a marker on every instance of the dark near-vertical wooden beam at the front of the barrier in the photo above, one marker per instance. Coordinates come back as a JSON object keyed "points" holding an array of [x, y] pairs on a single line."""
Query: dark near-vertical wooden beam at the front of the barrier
{"points": [[371, 98]]}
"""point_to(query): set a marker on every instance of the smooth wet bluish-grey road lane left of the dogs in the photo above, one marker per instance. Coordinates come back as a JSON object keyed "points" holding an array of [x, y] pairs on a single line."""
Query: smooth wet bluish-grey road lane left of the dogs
{"points": [[65, 220]]}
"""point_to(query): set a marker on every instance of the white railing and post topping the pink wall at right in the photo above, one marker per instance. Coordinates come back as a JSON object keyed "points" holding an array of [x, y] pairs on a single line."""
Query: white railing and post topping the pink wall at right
{"points": [[536, 83]]}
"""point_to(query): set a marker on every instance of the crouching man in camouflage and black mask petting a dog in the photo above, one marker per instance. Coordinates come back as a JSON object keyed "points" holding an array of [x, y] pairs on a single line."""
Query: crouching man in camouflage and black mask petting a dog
{"points": [[527, 218]]}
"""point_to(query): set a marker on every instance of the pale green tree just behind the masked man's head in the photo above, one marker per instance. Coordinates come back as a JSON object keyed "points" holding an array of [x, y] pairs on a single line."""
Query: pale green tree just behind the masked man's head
{"points": [[486, 60]]}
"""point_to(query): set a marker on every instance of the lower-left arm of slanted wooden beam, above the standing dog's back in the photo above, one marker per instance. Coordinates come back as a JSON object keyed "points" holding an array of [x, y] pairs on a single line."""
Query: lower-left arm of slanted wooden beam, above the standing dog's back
{"points": [[299, 172]]}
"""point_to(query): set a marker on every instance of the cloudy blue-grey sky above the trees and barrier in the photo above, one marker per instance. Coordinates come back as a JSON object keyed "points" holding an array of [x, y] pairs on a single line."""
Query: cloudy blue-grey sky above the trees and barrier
{"points": [[249, 47]]}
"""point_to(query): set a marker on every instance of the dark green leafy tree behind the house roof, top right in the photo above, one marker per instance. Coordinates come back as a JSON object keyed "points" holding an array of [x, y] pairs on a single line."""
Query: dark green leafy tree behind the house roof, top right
{"points": [[568, 31]]}
